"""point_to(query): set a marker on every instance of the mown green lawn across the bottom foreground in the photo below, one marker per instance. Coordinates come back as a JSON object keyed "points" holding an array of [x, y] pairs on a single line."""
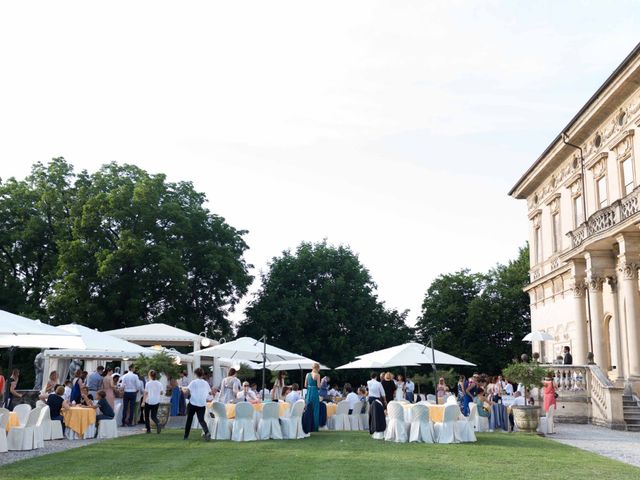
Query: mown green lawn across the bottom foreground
{"points": [[326, 455]]}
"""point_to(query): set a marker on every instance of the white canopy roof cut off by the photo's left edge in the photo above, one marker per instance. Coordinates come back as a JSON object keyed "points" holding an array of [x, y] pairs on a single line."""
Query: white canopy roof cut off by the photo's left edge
{"points": [[17, 331]]}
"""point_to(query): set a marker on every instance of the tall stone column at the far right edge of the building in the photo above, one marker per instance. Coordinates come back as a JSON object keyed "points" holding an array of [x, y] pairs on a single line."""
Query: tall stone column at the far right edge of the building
{"points": [[628, 276]]}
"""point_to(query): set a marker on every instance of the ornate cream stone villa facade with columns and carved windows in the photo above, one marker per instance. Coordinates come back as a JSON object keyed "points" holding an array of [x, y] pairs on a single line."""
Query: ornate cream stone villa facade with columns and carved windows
{"points": [[583, 199]]}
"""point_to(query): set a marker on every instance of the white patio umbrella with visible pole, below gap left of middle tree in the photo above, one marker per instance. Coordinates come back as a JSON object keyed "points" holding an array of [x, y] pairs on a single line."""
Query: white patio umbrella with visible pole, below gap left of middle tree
{"points": [[247, 348]]}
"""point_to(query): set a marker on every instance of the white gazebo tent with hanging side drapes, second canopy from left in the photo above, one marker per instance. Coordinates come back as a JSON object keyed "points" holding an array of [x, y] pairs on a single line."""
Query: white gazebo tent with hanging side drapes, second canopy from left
{"points": [[99, 348]]}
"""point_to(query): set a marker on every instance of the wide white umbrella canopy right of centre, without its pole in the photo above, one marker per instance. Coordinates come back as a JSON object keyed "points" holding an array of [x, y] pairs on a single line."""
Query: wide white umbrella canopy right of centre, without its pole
{"points": [[407, 354]]}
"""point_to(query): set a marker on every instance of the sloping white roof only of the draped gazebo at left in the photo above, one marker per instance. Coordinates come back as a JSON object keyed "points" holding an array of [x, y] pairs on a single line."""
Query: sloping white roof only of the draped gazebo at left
{"points": [[98, 345]]}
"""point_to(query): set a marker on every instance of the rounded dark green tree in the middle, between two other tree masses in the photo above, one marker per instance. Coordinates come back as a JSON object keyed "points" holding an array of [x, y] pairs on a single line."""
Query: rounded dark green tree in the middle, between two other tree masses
{"points": [[320, 301]]}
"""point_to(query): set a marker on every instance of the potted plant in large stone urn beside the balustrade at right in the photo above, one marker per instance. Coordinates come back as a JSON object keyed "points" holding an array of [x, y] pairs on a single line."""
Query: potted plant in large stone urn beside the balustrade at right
{"points": [[530, 375]]}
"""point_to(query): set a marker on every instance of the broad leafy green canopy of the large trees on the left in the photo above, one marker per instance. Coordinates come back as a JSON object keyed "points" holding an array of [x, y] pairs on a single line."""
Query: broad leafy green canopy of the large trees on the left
{"points": [[116, 248]]}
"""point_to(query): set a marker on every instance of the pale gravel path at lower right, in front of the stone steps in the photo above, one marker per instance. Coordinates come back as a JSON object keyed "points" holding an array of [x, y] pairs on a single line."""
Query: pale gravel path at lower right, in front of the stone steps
{"points": [[615, 444]]}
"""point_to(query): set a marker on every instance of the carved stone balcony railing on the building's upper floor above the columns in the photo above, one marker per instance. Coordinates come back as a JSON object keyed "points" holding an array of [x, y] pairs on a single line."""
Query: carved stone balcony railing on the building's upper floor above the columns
{"points": [[606, 218]]}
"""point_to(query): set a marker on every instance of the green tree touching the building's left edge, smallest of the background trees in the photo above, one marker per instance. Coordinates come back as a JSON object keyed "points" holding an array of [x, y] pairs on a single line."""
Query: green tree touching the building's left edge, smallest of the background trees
{"points": [[480, 317]]}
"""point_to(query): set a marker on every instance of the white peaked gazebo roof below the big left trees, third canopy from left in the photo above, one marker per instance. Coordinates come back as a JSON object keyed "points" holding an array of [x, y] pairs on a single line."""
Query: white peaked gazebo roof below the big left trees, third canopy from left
{"points": [[161, 334]]}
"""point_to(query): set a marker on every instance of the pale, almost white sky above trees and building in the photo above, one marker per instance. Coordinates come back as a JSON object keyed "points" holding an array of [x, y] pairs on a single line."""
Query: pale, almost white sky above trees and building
{"points": [[396, 128]]}
